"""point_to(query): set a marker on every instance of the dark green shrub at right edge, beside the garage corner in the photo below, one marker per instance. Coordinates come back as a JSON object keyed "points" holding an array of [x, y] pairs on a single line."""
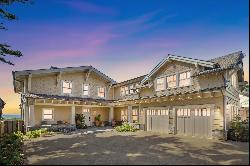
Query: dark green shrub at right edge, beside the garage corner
{"points": [[239, 130]]}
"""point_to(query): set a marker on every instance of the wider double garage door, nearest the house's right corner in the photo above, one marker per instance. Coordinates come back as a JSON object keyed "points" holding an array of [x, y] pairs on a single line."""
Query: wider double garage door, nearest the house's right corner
{"points": [[194, 122]]}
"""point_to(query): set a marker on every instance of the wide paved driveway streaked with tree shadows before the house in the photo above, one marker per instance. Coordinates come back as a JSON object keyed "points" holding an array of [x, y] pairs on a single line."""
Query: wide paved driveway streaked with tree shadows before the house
{"points": [[141, 147]]}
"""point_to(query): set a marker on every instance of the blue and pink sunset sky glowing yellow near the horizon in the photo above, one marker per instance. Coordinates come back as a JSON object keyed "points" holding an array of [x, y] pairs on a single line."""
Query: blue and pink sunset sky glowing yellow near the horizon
{"points": [[122, 38]]}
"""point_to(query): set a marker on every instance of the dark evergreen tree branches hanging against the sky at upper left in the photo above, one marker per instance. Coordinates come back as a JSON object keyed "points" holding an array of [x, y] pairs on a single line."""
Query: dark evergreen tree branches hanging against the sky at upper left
{"points": [[5, 49]]}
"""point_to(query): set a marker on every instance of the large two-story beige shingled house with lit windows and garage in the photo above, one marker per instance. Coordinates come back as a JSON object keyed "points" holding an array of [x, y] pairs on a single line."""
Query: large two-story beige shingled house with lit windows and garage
{"points": [[180, 95]]}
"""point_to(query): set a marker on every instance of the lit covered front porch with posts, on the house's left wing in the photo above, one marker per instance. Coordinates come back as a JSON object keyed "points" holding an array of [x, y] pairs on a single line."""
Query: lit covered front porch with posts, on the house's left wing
{"points": [[48, 111]]}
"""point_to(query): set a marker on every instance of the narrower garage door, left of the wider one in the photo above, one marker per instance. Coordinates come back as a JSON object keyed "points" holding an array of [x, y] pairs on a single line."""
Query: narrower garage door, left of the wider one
{"points": [[158, 120]]}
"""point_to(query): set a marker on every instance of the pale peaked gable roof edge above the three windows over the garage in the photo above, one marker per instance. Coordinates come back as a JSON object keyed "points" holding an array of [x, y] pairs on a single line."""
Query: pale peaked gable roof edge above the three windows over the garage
{"points": [[181, 59]]}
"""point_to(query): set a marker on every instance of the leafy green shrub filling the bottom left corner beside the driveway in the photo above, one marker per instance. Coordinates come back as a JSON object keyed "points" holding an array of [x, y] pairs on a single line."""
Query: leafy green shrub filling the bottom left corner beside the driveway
{"points": [[11, 149]]}
